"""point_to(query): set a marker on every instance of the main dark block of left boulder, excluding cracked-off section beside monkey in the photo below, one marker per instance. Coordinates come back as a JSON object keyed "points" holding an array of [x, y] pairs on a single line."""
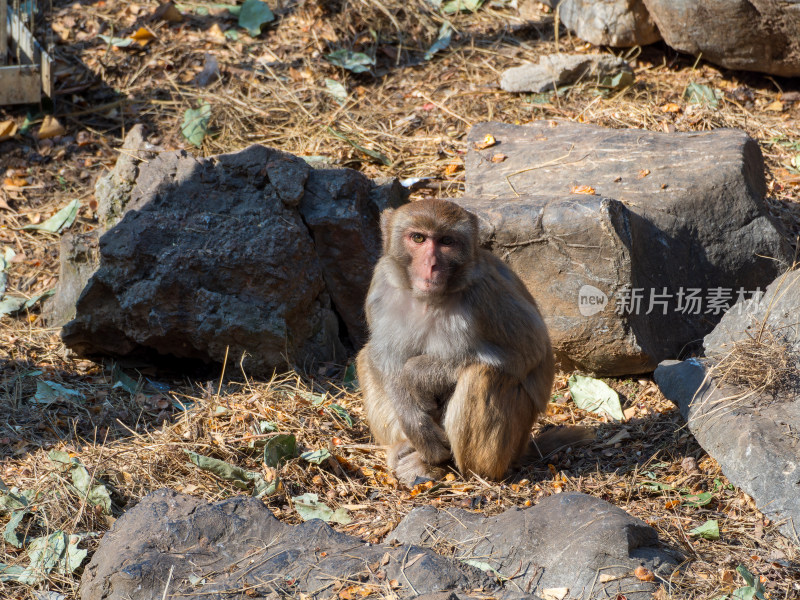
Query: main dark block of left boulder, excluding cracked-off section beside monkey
{"points": [[210, 258]]}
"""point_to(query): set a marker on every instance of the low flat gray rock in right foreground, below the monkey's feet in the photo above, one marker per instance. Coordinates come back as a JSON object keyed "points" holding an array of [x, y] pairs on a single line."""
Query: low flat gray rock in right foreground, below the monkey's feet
{"points": [[562, 542]]}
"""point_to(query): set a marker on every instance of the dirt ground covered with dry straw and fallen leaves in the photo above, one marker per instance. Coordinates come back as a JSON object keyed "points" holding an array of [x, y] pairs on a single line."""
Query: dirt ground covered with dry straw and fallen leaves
{"points": [[406, 117]]}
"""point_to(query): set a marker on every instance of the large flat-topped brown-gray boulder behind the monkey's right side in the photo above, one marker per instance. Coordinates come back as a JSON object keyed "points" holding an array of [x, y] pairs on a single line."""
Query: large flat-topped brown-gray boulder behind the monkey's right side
{"points": [[677, 211]]}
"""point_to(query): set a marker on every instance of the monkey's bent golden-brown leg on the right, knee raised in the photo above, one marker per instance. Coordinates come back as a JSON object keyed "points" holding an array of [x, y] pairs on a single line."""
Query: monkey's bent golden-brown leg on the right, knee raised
{"points": [[488, 421]]}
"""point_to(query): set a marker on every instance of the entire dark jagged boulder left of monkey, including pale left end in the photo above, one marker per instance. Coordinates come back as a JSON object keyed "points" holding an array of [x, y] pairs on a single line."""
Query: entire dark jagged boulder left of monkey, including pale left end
{"points": [[250, 254]]}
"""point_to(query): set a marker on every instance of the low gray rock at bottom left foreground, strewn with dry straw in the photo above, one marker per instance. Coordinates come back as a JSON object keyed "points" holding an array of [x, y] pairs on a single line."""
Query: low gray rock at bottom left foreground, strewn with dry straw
{"points": [[236, 547]]}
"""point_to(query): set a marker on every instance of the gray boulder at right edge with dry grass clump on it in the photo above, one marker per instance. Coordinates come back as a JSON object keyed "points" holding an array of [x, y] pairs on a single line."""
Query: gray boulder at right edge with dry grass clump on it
{"points": [[751, 433]]}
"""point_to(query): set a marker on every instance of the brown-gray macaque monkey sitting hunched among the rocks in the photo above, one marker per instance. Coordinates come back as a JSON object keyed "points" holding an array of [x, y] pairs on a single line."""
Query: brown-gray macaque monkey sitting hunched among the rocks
{"points": [[458, 364]]}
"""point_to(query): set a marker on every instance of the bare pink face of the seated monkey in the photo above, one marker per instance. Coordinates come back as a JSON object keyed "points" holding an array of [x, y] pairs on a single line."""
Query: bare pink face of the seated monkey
{"points": [[432, 257]]}
